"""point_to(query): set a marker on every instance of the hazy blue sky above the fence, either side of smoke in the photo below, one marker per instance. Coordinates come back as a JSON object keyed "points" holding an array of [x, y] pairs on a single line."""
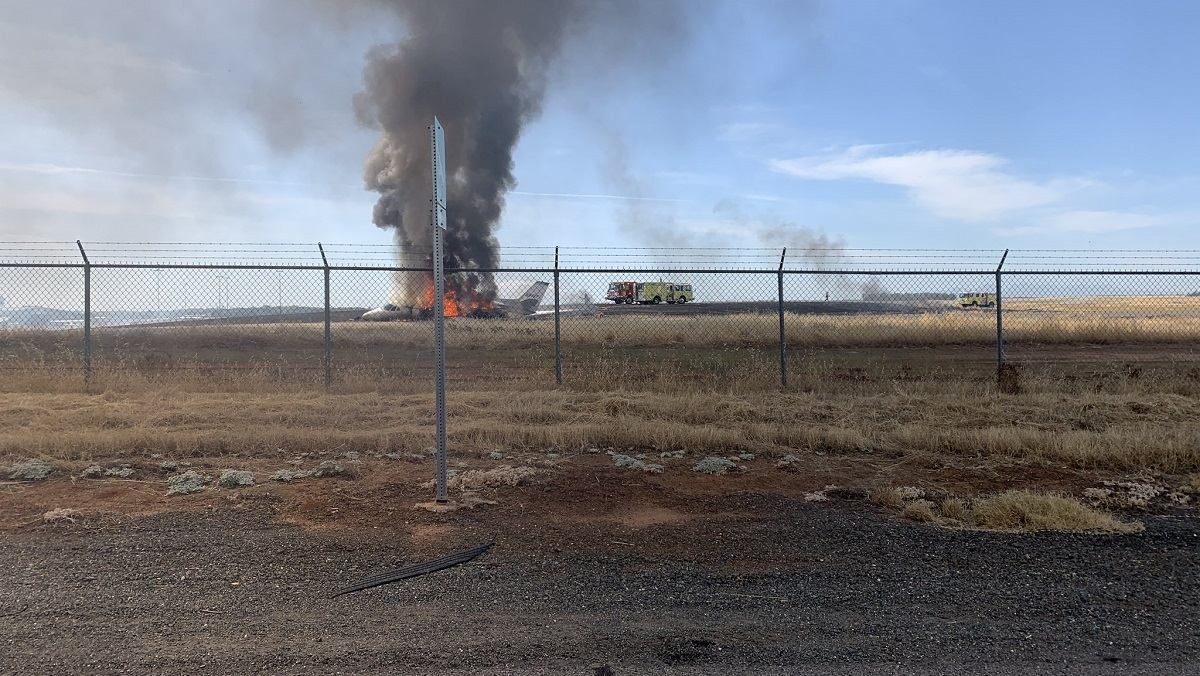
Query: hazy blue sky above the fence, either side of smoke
{"points": [[1031, 125]]}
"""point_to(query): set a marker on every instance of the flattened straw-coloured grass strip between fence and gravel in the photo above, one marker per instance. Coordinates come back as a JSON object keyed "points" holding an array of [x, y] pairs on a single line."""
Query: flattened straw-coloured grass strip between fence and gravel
{"points": [[1084, 432]]}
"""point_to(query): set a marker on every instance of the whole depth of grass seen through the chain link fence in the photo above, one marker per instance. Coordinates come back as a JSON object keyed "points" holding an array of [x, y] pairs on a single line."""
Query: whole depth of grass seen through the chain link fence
{"points": [[855, 355]]}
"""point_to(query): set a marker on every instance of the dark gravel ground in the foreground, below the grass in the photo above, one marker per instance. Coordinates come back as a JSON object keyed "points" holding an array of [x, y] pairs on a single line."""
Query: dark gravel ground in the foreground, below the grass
{"points": [[787, 589]]}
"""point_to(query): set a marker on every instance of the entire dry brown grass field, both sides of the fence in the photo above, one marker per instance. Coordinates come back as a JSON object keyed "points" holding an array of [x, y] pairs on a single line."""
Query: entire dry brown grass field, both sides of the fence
{"points": [[872, 400]]}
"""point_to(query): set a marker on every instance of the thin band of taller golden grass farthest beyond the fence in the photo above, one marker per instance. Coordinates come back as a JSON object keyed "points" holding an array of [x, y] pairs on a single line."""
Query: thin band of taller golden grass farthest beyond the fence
{"points": [[1169, 320]]}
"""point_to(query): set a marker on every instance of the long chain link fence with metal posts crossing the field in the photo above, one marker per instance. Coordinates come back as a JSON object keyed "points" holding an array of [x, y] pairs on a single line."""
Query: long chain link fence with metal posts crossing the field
{"points": [[667, 325]]}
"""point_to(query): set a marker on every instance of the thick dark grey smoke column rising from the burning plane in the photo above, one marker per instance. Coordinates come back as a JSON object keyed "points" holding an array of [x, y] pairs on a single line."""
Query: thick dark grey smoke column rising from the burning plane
{"points": [[482, 68]]}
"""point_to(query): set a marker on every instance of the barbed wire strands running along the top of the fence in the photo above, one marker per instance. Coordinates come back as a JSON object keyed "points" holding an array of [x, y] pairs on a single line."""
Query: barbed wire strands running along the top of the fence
{"points": [[392, 255]]}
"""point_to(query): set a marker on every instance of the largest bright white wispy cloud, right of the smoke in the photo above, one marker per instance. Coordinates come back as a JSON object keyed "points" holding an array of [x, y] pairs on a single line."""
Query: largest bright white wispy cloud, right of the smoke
{"points": [[956, 184]]}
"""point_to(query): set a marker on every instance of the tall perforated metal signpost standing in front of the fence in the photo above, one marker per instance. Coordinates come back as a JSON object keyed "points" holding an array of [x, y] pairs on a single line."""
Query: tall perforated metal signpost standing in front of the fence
{"points": [[439, 224]]}
